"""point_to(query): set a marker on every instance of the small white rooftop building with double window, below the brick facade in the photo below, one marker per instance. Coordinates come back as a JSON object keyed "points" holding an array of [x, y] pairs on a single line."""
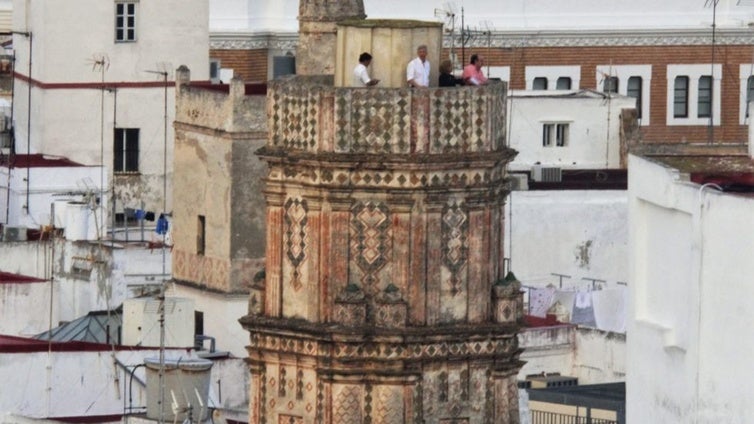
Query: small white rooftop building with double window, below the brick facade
{"points": [[590, 144]]}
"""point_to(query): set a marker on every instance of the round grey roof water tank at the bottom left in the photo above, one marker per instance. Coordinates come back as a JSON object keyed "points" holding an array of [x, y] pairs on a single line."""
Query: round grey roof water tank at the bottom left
{"points": [[186, 383]]}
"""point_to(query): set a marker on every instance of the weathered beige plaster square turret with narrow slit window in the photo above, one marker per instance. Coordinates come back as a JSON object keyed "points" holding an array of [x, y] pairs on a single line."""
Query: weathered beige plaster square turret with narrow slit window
{"points": [[219, 177]]}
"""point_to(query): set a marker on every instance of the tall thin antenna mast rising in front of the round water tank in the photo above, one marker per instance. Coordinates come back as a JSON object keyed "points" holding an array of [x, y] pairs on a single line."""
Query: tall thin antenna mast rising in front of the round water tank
{"points": [[164, 73]]}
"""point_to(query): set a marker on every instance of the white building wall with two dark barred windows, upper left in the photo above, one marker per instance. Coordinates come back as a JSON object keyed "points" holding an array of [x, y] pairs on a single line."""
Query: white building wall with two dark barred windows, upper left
{"points": [[71, 117]]}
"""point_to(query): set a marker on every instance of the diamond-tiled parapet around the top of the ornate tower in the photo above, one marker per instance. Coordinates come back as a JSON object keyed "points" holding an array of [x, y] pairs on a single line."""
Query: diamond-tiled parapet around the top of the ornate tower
{"points": [[309, 114]]}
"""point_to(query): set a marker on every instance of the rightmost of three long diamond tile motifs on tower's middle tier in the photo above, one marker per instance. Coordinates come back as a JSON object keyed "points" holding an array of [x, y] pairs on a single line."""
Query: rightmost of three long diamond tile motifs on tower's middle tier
{"points": [[455, 249]]}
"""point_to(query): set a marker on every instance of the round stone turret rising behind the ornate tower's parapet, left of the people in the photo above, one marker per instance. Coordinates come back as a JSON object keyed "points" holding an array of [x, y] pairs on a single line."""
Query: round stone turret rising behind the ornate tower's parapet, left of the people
{"points": [[317, 32]]}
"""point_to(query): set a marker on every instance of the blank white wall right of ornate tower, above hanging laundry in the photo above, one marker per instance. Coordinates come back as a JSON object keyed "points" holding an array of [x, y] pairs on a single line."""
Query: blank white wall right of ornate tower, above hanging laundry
{"points": [[581, 233]]}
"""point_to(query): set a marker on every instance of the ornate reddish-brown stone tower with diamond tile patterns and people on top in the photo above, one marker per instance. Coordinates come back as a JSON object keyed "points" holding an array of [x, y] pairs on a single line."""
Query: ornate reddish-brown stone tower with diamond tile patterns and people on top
{"points": [[384, 299]]}
